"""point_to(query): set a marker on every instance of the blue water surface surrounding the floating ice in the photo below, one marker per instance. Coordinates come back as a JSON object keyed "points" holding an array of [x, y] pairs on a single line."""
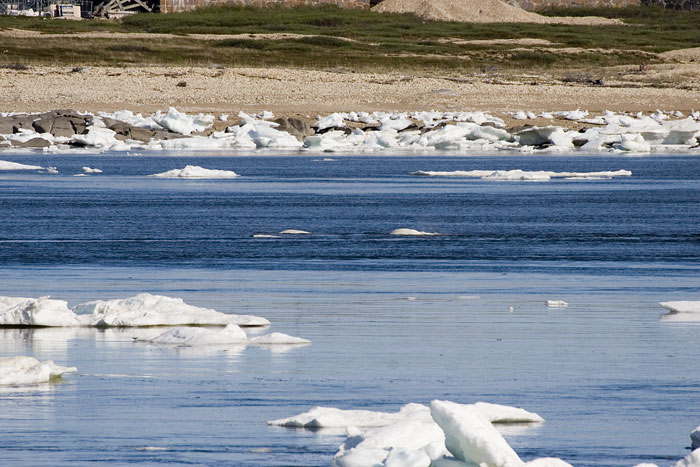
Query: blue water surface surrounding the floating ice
{"points": [[616, 385]]}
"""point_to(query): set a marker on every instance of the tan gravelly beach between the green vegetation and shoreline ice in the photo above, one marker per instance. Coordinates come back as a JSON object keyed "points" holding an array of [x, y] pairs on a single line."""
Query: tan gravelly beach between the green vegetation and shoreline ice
{"points": [[293, 92]]}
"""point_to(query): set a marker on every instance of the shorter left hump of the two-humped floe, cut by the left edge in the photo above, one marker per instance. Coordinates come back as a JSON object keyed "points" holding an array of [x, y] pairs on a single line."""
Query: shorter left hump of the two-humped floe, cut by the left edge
{"points": [[42, 311]]}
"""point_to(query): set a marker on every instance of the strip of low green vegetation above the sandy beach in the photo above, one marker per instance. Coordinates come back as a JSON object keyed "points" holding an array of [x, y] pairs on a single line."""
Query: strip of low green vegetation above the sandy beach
{"points": [[355, 39]]}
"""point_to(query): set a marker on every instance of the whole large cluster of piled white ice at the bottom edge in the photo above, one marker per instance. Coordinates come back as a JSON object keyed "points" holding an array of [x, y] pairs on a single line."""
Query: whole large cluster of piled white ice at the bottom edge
{"points": [[443, 434]]}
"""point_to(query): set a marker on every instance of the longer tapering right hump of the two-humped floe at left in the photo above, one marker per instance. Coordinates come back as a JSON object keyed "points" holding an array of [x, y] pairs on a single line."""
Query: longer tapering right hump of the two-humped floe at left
{"points": [[157, 310]]}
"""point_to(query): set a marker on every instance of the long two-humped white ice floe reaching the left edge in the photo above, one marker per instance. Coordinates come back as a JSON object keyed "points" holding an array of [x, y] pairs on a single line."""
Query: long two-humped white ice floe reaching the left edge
{"points": [[141, 310]]}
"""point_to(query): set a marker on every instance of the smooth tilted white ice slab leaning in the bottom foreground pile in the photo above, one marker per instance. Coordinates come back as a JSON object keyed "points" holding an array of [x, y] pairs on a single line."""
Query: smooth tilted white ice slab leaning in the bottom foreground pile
{"points": [[470, 437]]}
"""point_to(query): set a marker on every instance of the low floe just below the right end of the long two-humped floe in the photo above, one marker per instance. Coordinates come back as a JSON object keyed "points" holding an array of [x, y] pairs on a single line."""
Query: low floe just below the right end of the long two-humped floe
{"points": [[231, 334]]}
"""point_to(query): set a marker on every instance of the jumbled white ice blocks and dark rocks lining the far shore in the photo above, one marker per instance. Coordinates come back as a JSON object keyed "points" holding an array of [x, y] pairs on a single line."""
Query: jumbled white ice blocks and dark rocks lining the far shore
{"points": [[356, 132]]}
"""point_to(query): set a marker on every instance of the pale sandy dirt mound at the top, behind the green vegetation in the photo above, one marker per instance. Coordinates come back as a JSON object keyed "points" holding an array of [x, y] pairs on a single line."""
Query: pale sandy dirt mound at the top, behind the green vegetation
{"points": [[477, 11]]}
